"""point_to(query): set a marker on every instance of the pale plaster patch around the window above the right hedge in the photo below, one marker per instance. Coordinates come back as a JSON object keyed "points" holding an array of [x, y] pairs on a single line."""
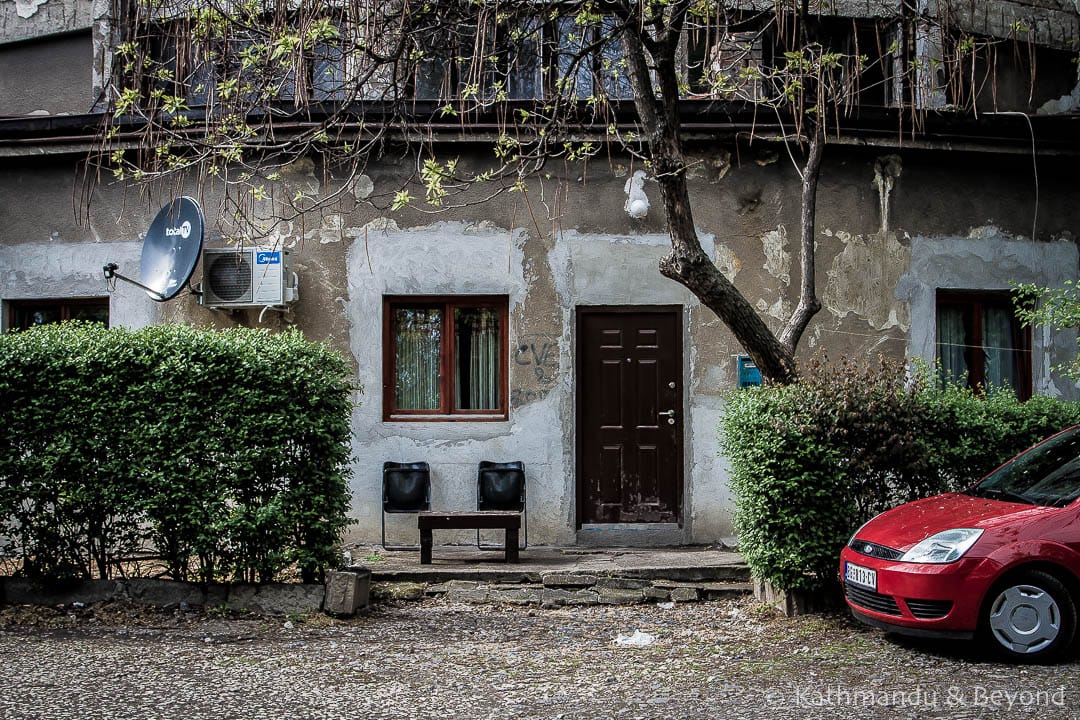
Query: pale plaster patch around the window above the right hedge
{"points": [[989, 260]]}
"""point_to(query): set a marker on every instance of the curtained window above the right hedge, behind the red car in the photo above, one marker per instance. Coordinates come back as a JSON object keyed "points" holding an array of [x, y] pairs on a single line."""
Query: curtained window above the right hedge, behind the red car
{"points": [[981, 344]]}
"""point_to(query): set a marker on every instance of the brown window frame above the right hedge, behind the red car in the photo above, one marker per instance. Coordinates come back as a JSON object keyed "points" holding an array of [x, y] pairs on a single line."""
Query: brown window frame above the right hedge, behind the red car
{"points": [[977, 302]]}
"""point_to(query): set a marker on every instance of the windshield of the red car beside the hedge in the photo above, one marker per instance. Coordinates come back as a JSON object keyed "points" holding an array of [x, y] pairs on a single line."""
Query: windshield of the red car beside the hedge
{"points": [[1048, 474]]}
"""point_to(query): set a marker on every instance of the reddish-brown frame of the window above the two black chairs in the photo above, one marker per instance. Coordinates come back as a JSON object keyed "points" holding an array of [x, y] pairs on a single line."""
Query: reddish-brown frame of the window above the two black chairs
{"points": [[448, 304]]}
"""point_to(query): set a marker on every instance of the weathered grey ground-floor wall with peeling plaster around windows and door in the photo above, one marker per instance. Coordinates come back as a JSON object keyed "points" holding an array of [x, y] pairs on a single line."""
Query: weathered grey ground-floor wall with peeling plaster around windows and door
{"points": [[890, 232]]}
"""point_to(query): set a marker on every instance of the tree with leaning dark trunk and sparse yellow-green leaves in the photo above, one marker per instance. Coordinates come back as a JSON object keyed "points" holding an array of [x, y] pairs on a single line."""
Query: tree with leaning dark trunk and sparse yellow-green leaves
{"points": [[234, 91]]}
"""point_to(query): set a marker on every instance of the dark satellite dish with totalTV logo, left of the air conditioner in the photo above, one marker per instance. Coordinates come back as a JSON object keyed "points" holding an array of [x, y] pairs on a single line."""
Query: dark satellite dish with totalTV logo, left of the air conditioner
{"points": [[171, 250]]}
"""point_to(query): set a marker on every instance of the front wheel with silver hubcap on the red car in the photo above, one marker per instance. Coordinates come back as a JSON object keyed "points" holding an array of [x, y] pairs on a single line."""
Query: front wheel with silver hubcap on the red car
{"points": [[1031, 618]]}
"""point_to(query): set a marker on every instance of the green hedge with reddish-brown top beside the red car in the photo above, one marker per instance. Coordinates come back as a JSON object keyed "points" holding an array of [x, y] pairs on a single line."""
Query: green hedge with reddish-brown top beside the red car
{"points": [[813, 461]]}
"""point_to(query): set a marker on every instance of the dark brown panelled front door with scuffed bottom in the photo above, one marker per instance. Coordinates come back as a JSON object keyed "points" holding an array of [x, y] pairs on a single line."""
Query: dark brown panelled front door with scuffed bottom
{"points": [[630, 407]]}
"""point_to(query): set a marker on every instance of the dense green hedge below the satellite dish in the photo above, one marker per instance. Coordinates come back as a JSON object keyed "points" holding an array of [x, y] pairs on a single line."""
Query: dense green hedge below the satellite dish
{"points": [[226, 454]]}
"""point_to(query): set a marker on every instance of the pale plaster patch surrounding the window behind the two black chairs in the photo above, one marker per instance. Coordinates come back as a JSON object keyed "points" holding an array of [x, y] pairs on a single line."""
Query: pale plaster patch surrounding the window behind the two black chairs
{"points": [[447, 259]]}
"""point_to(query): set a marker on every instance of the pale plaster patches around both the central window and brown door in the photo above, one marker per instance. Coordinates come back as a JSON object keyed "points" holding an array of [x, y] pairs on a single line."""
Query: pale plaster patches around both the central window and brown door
{"points": [[592, 270]]}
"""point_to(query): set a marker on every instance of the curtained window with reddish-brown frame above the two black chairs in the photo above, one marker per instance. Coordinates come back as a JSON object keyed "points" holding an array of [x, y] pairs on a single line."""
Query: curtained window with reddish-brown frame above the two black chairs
{"points": [[445, 358]]}
